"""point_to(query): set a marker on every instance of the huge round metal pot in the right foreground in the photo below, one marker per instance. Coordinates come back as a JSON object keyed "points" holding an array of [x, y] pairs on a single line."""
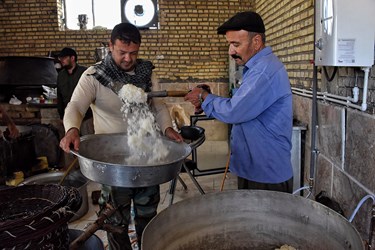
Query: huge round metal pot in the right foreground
{"points": [[249, 219]]}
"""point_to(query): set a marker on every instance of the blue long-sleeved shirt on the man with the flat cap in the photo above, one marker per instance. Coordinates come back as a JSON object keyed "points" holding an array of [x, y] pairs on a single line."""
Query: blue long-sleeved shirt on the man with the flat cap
{"points": [[262, 118]]}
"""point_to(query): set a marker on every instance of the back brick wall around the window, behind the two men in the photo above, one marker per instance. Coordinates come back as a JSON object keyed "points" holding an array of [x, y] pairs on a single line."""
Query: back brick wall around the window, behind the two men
{"points": [[185, 48]]}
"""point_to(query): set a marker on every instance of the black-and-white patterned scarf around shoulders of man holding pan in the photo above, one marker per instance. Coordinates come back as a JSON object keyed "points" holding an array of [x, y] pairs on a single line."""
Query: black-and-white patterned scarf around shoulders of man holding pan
{"points": [[111, 76]]}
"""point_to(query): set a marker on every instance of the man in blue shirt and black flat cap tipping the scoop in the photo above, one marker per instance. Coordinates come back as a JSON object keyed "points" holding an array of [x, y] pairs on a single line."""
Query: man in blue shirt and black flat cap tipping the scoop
{"points": [[260, 110]]}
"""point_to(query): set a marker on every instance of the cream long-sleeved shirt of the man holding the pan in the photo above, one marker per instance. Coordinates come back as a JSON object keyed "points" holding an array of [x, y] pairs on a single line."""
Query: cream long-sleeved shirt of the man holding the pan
{"points": [[106, 107]]}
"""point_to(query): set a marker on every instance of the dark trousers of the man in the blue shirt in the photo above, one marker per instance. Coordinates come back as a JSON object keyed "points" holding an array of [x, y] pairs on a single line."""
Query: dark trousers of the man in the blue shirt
{"points": [[286, 186]]}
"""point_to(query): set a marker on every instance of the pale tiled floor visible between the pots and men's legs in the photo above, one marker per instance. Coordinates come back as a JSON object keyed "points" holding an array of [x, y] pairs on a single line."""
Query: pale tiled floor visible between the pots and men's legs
{"points": [[209, 183]]}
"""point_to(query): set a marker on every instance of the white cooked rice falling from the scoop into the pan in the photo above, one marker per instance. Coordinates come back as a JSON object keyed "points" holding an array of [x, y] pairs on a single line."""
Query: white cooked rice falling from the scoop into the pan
{"points": [[143, 133]]}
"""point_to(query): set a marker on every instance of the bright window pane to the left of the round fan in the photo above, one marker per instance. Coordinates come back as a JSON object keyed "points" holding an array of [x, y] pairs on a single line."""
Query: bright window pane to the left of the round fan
{"points": [[89, 14]]}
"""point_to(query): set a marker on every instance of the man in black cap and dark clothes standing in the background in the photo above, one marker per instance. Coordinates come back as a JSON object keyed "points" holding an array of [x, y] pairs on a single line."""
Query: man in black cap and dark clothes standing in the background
{"points": [[67, 80]]}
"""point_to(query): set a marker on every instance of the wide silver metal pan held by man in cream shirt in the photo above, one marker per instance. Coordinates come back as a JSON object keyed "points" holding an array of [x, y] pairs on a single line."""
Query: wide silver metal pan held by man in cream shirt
{"points": [[102, 158]]}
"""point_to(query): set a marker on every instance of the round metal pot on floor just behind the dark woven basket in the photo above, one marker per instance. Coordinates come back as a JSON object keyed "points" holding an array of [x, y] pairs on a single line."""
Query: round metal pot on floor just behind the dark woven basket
{"points": [[74, 179]]}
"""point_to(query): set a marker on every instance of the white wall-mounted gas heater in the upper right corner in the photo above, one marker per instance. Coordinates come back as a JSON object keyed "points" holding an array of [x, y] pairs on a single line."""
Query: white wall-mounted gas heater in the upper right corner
{"points": [[344, 33]]}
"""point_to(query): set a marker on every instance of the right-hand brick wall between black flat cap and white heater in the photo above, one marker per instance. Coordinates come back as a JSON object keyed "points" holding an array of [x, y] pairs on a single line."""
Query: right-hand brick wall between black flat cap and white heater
{"points": [[290, 33]]}
